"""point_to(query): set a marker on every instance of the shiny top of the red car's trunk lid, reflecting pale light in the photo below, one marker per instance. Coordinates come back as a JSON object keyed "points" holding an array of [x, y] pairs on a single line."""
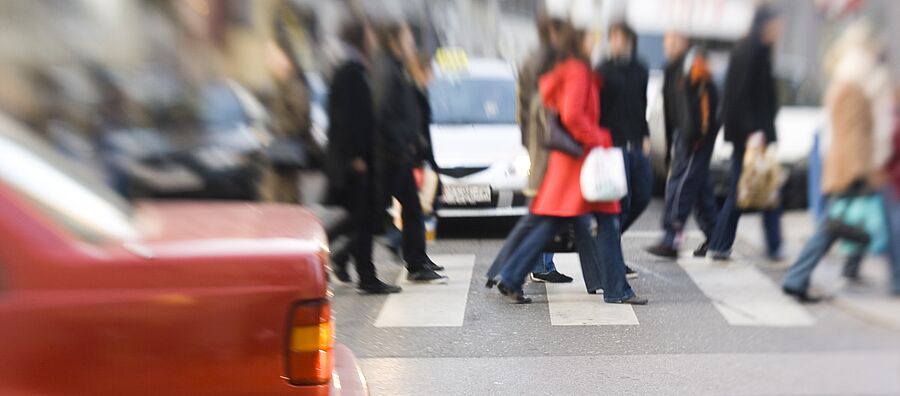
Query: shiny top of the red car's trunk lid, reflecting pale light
{"points": [[218, 228]]}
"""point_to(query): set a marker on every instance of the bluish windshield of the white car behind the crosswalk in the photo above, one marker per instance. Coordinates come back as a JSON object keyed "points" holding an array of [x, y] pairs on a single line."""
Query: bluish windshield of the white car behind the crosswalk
{"points": [[473, 101]]}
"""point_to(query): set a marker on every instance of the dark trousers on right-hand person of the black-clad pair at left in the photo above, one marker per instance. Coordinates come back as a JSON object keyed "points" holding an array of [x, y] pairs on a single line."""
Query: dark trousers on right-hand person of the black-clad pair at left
{"points": [[402, 185]]}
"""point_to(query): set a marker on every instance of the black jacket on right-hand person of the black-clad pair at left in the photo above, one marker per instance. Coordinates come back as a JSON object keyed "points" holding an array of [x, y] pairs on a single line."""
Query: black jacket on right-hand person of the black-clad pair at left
{"points": [[398, 115]]}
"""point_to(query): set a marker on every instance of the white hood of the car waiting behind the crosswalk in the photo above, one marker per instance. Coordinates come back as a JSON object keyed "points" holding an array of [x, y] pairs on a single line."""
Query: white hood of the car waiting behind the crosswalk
{"points": [[472, 146]]}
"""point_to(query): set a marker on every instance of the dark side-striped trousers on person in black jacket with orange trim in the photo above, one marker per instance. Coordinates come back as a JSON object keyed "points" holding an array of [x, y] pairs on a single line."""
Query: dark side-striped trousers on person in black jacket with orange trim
{"points": [[689, 189]]}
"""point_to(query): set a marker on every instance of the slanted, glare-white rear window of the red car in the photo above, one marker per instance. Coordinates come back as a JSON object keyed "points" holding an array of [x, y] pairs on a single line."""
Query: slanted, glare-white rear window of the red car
{"points": [[75, 201]]}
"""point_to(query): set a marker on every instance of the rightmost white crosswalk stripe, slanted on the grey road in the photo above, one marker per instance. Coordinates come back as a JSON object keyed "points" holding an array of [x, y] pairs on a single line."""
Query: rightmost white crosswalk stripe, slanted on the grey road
{"points": [[745, 296]]}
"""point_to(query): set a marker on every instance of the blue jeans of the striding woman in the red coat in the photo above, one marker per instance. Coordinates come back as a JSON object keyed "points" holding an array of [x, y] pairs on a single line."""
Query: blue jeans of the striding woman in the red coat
{"points": [[601, 257]]}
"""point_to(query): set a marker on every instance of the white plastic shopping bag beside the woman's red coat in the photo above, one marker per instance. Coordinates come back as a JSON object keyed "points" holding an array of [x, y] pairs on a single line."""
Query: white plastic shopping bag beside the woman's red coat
{"points": [[603, 175]]}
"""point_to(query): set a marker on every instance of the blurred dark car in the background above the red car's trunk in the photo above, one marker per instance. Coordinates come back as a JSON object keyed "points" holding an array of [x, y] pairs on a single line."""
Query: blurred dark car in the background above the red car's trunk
{"points": [[219, 158]]}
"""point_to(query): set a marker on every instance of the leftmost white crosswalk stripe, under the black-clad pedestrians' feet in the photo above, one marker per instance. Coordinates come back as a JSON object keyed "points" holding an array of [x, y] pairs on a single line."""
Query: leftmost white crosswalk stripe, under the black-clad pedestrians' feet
{"points": [[423, 305]]}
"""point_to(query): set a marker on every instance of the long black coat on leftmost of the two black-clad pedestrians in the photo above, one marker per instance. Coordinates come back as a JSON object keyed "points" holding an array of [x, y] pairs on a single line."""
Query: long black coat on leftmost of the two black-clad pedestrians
{"points": [[352, 124]]}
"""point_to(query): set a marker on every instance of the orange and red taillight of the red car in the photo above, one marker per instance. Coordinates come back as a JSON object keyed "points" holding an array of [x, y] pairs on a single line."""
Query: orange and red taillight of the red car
{"points": [[310, 359]]}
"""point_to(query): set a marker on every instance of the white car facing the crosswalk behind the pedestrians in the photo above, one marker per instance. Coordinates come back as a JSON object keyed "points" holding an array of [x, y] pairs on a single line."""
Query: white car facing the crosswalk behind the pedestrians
{"points": [[477, 143]]}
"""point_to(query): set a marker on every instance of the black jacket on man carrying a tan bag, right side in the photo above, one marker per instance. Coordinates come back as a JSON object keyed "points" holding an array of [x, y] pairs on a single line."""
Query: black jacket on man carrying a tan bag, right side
{"points": [[749, 103]]}
